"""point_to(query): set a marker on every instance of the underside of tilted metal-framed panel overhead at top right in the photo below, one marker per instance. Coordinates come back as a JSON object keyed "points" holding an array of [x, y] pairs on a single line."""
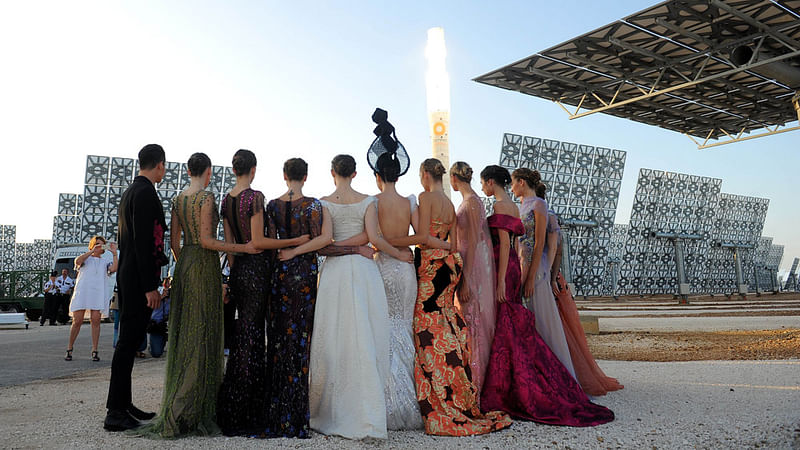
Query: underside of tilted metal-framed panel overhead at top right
{"points": [[709, 69]]}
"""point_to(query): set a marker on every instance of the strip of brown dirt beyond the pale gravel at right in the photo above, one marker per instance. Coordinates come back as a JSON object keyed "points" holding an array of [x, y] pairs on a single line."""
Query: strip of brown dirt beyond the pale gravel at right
{"points": [[693, 346]]}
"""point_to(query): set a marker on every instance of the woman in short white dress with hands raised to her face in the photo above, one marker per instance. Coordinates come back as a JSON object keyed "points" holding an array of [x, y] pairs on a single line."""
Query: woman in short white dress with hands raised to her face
{"points": [[91, 291]]}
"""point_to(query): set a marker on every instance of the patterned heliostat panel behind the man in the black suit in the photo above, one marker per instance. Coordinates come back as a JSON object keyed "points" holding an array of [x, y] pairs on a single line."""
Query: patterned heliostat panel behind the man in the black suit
{"points": [[96, 212]]}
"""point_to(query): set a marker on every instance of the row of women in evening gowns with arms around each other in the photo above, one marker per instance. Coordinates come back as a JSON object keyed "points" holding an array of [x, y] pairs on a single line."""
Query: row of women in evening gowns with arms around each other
{"points": [[458, 337]]}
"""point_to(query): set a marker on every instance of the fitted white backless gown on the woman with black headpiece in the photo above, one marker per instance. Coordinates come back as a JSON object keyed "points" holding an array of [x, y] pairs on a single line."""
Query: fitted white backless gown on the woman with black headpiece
{"points": [[400, 281]]}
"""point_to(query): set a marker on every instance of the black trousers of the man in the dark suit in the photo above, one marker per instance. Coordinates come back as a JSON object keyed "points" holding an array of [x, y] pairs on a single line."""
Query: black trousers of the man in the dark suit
{"points": [[133, 320]]}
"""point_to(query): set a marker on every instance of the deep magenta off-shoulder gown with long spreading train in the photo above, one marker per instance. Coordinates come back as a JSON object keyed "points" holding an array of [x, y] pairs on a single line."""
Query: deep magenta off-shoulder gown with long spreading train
{"points": [[524, 377]]}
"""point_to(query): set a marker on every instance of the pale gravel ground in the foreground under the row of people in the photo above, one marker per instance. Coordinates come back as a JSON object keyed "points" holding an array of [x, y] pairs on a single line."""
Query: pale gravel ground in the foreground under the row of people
{"points": [[703, 404]]}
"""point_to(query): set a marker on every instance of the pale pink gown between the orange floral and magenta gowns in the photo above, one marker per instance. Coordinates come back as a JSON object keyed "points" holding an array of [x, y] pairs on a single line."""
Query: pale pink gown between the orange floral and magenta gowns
{"points": [[479, 312]]}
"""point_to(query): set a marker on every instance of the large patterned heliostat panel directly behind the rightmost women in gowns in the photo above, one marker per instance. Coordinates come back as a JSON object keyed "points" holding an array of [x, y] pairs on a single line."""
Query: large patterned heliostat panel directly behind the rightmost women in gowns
{"points": [[583, 189]]}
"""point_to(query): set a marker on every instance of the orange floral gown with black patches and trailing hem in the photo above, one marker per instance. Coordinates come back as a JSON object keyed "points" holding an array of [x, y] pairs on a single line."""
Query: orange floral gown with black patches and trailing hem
{"points": [[446, 394]]}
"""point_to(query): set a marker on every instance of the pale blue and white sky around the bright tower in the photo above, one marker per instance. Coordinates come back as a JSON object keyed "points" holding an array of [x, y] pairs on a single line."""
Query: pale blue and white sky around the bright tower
{"points": [[289, 79]]}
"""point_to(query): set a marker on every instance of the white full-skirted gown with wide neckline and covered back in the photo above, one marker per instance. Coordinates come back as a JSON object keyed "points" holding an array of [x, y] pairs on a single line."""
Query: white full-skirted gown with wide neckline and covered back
{"points": [[350, 343]]}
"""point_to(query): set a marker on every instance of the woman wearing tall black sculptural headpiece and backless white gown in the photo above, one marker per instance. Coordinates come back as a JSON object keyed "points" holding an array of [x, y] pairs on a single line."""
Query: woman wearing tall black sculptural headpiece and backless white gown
{"points": [[388, 159]]}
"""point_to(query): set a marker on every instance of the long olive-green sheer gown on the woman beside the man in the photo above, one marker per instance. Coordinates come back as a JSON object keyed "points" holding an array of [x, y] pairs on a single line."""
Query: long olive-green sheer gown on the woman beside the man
{"points": [[195, 342]]}
